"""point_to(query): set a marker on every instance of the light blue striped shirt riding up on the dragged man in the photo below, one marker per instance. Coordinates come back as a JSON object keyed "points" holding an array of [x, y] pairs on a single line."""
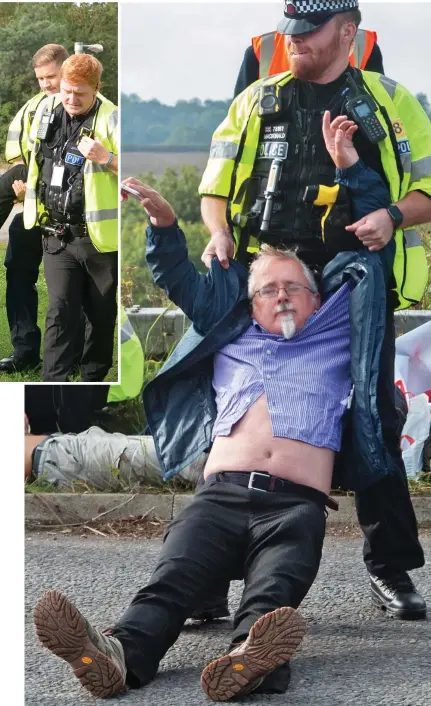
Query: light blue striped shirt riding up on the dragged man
{"points": [[306, 379]]}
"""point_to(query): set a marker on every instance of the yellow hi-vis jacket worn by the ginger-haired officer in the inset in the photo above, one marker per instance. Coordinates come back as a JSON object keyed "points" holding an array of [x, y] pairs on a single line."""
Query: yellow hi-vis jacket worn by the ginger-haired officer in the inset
{"points": [[100, 184]]}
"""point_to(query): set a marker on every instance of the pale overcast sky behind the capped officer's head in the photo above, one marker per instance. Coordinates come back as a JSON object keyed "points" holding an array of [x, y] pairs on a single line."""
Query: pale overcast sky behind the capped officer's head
{"points": [[173, 51]]}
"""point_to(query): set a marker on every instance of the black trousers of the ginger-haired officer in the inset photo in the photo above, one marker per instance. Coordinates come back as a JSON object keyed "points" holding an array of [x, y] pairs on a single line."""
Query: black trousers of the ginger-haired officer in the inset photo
{"points": [[79, 276]]}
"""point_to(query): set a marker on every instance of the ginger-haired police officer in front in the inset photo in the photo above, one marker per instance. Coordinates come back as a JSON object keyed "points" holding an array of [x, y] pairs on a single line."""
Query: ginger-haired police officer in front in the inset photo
{"points": [[72, 193]]}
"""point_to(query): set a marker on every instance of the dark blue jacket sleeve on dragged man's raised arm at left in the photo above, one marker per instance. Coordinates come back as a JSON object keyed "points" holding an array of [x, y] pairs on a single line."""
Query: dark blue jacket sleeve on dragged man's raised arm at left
{"points": [[204, 298]]}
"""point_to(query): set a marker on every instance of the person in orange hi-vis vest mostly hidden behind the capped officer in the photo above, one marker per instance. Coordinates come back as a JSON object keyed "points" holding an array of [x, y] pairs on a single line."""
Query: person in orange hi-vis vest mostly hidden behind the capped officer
{"points": [[267, 56]]}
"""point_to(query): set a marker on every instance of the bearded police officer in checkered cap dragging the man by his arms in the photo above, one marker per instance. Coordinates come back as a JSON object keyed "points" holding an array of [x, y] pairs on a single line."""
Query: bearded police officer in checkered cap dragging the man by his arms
{"points": [[266, 158]]}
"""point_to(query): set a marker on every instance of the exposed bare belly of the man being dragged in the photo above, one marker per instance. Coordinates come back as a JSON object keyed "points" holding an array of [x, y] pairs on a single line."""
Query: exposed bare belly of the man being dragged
{"points": [[252, 447]]}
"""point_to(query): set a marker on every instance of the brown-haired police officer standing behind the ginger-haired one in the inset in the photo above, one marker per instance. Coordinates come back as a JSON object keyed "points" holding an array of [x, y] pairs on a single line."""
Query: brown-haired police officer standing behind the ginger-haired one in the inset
{"points": [[24, 251]]}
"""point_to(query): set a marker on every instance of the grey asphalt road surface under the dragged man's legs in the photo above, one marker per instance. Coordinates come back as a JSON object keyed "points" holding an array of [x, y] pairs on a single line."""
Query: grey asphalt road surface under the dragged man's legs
{"points": [[352, 653]]}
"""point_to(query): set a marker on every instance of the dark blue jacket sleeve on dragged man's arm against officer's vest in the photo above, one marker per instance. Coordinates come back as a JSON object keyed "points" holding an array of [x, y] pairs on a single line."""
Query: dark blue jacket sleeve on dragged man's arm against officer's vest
{"points": [[367, 189]]}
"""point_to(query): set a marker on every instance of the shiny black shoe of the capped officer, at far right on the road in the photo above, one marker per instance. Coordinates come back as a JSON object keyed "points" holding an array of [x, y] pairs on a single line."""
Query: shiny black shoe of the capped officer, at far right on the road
{"points": [[397, 595]]}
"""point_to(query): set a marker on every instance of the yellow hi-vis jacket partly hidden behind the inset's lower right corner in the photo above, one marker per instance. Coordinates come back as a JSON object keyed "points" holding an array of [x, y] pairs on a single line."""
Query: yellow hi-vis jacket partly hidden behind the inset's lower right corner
{"points": [[132, 364]]}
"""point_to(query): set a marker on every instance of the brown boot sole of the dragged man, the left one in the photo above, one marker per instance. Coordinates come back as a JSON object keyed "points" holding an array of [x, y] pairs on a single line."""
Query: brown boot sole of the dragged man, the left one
{"points": [[61, 628]]}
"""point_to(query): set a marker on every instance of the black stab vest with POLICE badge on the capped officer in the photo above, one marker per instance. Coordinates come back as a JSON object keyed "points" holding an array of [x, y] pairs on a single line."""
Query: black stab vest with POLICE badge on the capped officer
{"points": [[296, 223]]}
